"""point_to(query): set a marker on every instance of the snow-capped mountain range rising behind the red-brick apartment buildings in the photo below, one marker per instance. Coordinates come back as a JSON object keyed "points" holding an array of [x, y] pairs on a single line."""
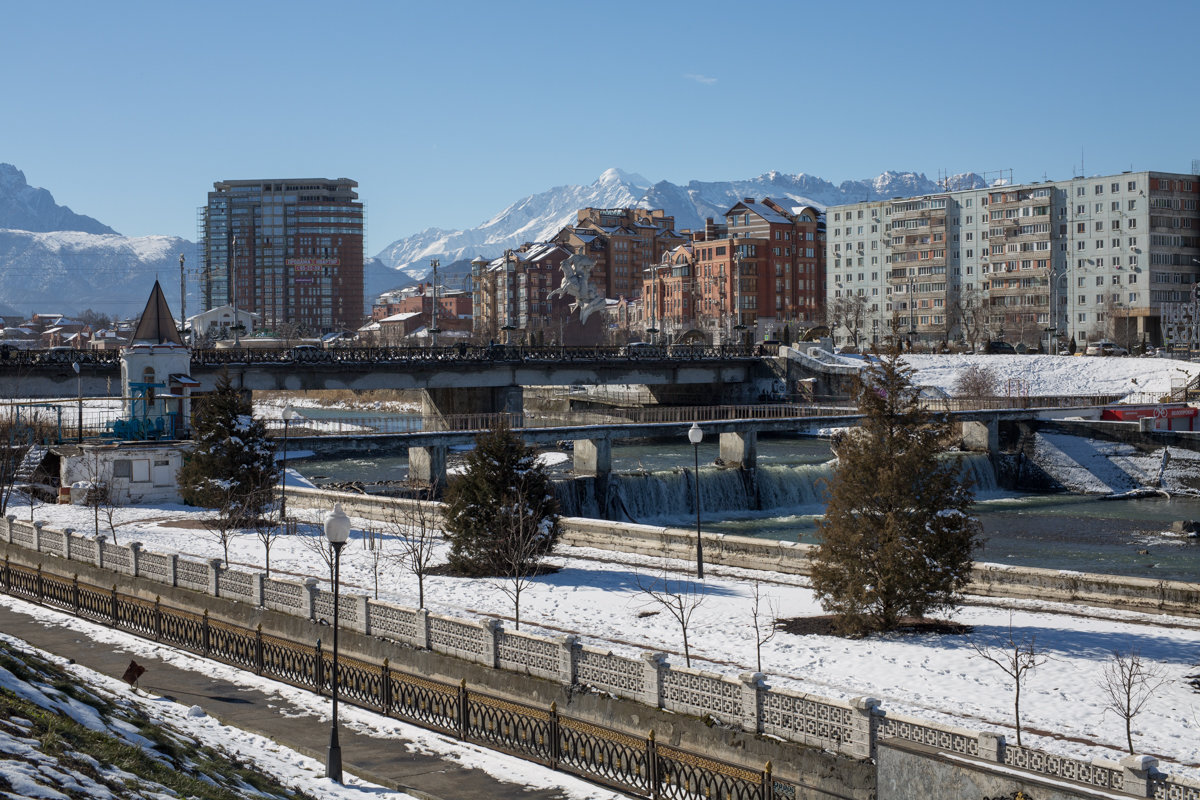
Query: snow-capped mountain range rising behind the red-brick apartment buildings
{"points": [[541, 216]]}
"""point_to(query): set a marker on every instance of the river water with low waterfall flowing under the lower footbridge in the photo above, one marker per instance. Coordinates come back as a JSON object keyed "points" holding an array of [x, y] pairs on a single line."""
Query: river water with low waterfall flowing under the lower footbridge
{"points": [[653, 484]]}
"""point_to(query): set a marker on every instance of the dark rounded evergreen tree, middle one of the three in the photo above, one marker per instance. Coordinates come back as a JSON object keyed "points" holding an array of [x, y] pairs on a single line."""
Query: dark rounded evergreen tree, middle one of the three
{"points": [[501, 514]]}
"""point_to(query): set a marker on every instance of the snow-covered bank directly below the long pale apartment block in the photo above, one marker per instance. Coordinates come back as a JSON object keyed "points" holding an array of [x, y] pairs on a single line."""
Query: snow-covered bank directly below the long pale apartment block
{"points": [[1041, 376]]}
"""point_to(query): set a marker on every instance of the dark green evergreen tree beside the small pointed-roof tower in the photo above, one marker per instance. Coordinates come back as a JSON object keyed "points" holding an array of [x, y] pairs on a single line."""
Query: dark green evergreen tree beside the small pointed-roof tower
{"points": [[232, 467]]}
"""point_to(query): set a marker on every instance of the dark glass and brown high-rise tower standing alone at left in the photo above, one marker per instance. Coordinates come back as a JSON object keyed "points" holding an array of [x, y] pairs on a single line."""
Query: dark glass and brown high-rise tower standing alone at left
{"points": [[290, 250]]}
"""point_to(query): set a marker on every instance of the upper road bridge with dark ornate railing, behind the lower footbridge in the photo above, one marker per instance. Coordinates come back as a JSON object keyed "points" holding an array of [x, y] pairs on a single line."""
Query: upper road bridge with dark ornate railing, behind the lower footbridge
{"points": [[458, 380]]}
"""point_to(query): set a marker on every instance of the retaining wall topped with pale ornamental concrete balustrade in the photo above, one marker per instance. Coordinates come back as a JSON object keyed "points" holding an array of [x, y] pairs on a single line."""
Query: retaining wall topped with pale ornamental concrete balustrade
{"points": [[741, 719]]}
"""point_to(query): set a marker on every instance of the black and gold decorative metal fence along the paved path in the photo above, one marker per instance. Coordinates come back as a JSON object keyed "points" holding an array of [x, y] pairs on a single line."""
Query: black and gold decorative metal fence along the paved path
{"points": [[633, 765]]}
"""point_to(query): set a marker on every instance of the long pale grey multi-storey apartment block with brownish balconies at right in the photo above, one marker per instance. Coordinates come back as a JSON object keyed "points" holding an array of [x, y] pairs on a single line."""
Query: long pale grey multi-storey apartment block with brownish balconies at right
{"points": [[1087, 258]]}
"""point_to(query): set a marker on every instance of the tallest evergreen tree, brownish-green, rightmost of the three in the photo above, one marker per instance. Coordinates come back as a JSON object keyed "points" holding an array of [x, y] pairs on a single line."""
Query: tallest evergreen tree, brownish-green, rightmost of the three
{"points": [[898, 536]]}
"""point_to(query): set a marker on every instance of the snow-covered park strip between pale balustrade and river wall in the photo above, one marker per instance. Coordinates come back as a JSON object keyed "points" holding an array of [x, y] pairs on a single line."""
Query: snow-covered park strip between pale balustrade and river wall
{"points": [[939, 678]]}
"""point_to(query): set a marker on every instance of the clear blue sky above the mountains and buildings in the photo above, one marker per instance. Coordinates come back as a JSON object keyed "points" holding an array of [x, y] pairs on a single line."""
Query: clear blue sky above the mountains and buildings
{"points": [[446, 113]]}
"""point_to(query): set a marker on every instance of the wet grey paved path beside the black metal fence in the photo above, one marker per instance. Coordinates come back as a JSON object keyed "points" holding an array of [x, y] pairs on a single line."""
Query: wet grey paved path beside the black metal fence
{"points": [[380, 761]]}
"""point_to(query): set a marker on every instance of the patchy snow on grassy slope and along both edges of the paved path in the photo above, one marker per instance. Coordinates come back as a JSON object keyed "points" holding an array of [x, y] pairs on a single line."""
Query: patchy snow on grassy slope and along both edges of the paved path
{"points": [[35, 773]]}
